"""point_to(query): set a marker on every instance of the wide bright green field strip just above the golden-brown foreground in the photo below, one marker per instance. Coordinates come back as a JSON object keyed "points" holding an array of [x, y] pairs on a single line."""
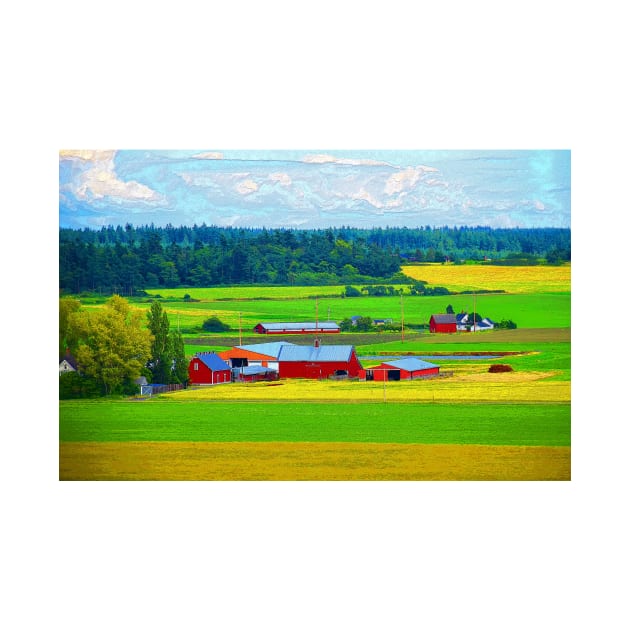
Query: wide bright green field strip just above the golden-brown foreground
{"points": [[408, 423]]}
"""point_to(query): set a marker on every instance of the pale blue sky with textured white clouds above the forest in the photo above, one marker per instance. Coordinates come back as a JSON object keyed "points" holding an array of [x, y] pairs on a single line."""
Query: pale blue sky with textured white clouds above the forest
{"points": [[314, 188]]}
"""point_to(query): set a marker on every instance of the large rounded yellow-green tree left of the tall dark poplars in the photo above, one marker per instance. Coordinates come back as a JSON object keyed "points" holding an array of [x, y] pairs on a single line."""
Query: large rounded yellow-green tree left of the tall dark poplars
{"points": [[114, 346]]}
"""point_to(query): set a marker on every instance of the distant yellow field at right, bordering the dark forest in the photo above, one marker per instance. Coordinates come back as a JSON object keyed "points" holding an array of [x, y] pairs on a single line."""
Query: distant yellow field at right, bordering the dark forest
{"points": [[537, 279]]}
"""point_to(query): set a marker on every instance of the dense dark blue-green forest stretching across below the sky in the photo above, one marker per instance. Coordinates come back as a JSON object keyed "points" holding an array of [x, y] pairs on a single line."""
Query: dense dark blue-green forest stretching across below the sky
{"points": [[128, 259]]}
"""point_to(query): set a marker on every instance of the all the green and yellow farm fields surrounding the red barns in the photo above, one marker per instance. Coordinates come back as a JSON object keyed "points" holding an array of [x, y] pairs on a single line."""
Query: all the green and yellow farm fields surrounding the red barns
{"points": [[468, 425]]}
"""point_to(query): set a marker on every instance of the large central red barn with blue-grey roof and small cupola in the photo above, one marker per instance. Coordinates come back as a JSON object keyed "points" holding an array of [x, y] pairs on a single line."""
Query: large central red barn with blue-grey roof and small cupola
{"points": [[318, 361]]}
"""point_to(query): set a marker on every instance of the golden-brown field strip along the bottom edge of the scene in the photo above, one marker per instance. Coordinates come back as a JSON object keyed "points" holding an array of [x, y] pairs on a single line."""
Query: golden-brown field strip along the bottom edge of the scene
{"points": [[216, 461]]}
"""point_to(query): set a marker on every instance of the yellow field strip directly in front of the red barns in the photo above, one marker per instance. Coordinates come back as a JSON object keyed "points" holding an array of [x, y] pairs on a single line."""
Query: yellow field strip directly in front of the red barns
{"points": [[461, 387]]}
